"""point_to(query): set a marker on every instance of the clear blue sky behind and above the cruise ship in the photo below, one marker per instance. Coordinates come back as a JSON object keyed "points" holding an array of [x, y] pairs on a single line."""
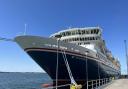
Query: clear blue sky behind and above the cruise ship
{"points": [[44, 17]]}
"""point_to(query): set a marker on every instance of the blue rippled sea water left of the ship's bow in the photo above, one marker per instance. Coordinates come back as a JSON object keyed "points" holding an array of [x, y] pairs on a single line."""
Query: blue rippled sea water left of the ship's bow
{"points": [[23, 80]]}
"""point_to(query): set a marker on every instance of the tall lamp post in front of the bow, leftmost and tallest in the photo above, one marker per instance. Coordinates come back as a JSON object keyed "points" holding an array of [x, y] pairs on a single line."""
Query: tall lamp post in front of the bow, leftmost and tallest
{"points": [[57, 61]]}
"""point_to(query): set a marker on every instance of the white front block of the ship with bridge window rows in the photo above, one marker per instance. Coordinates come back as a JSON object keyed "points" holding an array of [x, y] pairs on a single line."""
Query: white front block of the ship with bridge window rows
{"points": [[87, 37]]}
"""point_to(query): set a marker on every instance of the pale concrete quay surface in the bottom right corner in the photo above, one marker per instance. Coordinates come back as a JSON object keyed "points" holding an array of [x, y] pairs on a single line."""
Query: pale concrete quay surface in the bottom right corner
{"points": [[117, 84]]}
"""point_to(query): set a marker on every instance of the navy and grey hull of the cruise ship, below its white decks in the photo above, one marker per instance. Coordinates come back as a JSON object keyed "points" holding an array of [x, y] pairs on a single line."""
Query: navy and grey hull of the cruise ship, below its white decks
{"points": [[40, 51]]}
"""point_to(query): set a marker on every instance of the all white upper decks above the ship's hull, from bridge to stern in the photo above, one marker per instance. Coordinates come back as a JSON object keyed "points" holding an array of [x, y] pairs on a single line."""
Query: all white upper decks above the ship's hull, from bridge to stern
{"points": [[90, 38]]}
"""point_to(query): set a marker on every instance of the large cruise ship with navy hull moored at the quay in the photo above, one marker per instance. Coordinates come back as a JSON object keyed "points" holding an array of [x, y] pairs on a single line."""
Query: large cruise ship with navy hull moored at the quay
{"points": [[77, 52]]}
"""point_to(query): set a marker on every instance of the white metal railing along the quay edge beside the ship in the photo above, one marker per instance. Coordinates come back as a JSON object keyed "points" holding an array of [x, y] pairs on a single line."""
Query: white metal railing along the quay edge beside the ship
{"points": [[96, 84]]}
